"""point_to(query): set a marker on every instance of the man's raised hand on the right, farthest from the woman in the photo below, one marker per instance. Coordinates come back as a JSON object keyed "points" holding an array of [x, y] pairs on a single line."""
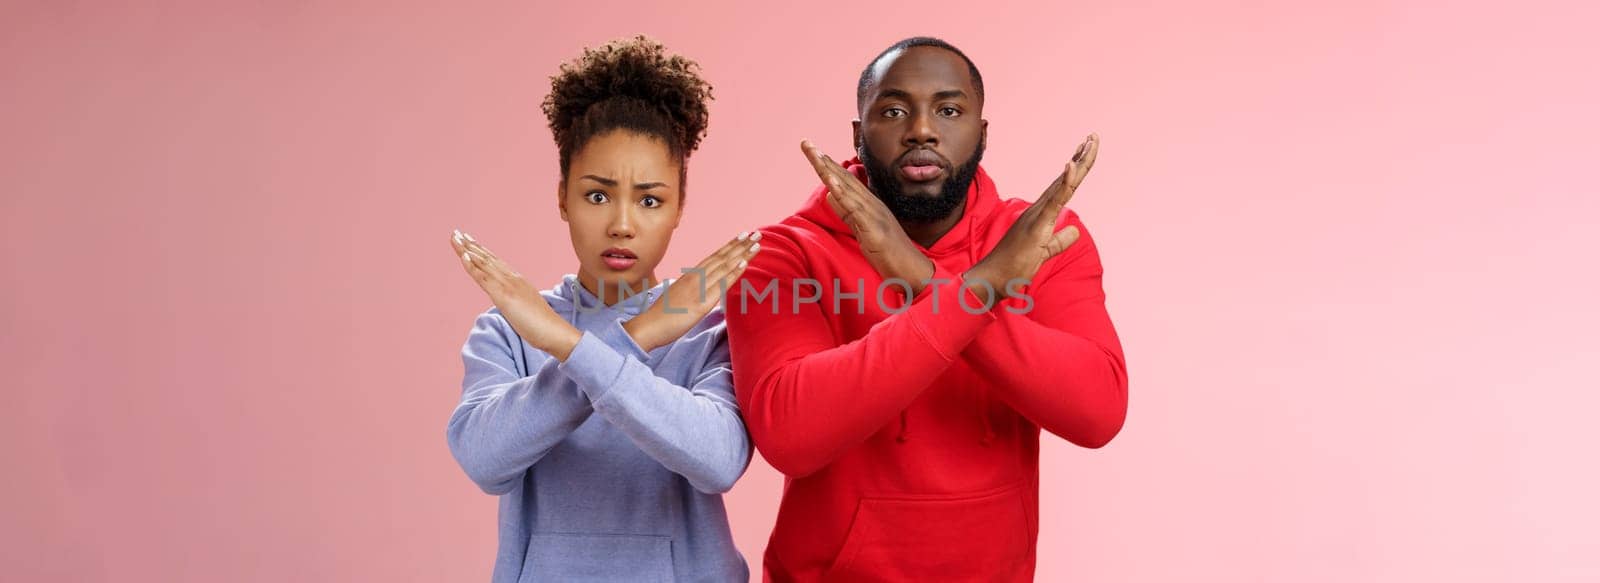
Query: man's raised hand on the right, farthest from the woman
{"points": [[1034, 238]]}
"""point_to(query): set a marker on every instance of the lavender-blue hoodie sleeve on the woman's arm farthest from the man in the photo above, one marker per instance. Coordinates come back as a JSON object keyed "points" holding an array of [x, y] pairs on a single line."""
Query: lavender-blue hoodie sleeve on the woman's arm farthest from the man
{"points": [[508, 420]]}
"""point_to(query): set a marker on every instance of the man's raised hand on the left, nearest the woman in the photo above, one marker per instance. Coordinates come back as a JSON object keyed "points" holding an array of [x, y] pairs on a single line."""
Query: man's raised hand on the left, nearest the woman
{"points": [[886, 246]]}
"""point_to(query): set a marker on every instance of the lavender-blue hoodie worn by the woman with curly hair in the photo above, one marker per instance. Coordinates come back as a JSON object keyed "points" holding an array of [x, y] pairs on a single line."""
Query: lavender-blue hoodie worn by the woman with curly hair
{"points": [[610, 465]]}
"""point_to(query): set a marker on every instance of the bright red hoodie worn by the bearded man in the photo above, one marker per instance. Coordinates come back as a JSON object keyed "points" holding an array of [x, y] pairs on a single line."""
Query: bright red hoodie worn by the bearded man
{"points": [[910, 436]]}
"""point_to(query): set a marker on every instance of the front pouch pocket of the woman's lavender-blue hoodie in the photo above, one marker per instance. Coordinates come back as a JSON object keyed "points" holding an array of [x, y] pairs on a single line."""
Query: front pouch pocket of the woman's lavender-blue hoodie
{"points": [[598, 558]]}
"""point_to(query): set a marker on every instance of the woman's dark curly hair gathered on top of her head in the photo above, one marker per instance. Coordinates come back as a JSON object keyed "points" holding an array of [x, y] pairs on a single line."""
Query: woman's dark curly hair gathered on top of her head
{"points": [[628, 84]]}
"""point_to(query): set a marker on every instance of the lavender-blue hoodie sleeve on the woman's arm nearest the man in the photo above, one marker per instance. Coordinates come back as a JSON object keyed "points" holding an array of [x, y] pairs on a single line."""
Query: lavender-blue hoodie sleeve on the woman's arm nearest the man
{"points": [[692, 430]]}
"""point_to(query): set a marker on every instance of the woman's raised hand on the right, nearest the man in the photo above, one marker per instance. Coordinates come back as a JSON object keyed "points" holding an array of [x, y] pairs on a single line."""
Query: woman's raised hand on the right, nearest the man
{"points": [[692, 297]]}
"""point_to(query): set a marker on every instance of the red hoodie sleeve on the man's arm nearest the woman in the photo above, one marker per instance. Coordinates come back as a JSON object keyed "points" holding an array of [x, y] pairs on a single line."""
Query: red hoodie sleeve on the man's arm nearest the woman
{"points": [[806, 393]]}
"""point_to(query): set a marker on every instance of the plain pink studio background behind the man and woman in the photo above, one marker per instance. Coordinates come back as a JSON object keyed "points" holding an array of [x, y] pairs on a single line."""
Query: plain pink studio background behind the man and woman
{"points": [[1351, 251]]}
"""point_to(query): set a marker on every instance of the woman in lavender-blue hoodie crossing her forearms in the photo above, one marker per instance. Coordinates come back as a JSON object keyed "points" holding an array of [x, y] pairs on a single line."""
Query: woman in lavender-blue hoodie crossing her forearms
{"points": [[602, 411]]}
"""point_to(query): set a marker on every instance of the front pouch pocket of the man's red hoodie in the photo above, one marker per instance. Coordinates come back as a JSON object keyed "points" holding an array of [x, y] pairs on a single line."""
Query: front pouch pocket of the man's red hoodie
{"points": [[980, 537]]}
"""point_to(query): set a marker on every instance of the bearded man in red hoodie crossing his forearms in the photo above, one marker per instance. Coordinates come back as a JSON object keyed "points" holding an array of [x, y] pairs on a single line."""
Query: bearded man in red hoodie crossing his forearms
{"points": [[898, 345]]}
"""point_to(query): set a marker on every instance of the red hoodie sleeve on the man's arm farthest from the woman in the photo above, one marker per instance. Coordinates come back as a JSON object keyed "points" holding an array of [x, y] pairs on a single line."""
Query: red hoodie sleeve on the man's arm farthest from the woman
{"points": [[1060, 364]]}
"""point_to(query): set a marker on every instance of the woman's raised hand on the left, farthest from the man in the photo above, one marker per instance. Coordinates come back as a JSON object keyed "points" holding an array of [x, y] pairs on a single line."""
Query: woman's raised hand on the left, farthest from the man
{"points": [[518, 300]]}
